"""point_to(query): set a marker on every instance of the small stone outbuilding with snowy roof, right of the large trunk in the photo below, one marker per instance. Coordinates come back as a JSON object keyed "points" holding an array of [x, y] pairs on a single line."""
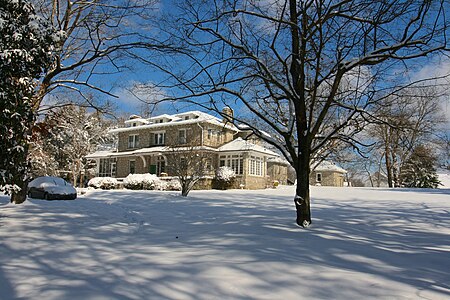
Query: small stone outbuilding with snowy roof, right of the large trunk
{"points": [[327, 173]]}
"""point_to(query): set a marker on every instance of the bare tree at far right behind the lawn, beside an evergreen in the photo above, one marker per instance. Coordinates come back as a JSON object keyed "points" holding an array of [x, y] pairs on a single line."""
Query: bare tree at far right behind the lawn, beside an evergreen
{"points": [[405, 121]]}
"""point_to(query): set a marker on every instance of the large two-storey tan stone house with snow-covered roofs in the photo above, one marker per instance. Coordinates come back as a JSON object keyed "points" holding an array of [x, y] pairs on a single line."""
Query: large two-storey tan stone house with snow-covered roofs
{"points": [[143, 147]]}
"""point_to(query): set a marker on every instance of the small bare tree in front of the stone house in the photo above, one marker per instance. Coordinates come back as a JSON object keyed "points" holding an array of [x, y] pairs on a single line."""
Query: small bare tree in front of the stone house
{"points": [[190, 162]]}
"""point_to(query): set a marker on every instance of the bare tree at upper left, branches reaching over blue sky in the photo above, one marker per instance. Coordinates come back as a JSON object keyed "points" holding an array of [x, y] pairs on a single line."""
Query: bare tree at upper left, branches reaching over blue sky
{"points": [[96, 35]]}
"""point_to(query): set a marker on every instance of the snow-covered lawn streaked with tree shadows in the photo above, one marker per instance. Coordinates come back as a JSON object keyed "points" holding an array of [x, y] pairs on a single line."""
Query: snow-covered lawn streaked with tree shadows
{"points": [[364, 243]]}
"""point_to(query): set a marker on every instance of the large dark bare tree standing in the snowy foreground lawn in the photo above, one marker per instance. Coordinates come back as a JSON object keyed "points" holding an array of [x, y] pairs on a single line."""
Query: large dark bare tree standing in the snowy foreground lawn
{"points": [[305, 69]]}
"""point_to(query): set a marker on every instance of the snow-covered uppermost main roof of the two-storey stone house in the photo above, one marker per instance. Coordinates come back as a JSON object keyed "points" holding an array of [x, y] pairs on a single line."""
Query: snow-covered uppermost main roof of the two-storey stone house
{"points": [[177, 119]]}
